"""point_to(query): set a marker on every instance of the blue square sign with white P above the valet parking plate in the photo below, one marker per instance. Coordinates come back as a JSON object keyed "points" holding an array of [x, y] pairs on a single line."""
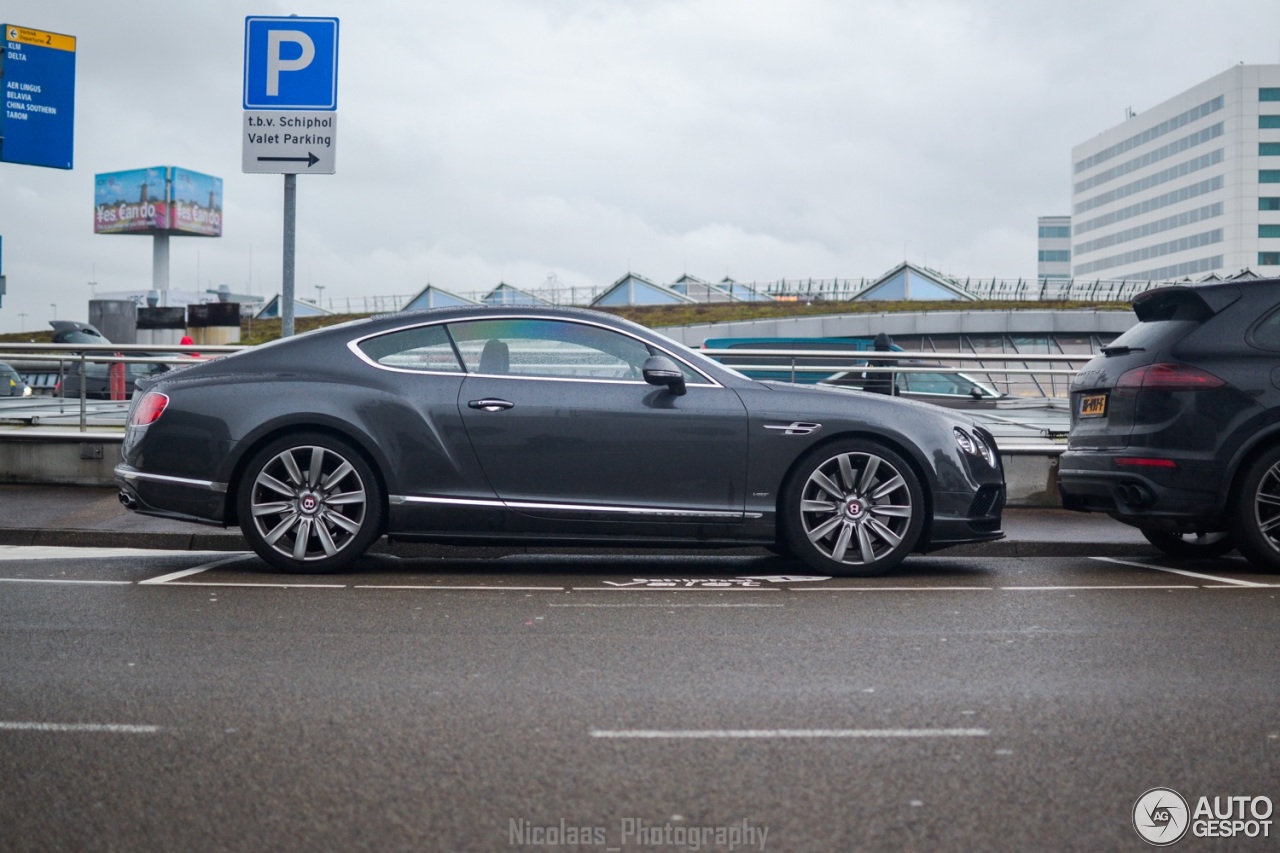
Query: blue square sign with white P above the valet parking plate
{"points": [[291, 63]]}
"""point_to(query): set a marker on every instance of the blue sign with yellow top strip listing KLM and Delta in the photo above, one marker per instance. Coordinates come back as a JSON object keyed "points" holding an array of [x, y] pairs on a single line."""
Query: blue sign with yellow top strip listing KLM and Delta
{"points": [[38, 76]]}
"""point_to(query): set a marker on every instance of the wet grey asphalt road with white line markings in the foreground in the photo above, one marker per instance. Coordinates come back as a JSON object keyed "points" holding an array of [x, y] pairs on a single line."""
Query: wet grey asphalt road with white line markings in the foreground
{"points": [[632, 704]]}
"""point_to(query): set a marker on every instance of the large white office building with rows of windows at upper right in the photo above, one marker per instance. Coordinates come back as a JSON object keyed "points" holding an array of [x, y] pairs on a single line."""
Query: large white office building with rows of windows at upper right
{"points": [[1186, 189]]}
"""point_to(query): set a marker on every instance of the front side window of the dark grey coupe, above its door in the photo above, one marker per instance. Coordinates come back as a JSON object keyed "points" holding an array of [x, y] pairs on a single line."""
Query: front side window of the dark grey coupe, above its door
{"points": [[551, 349]]}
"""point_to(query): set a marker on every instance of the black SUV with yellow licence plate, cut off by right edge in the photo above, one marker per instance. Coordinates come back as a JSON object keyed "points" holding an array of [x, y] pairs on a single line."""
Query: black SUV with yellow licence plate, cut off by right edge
{"points": [[1176, 428]]}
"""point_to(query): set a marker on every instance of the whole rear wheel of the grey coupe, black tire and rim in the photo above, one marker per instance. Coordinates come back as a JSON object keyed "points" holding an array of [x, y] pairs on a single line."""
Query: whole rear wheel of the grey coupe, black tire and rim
{"points": [[310, 504]]}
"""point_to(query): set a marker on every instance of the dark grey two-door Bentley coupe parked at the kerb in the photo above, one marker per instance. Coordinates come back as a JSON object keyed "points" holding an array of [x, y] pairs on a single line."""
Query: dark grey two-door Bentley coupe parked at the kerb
{"points": [[546, 426]]}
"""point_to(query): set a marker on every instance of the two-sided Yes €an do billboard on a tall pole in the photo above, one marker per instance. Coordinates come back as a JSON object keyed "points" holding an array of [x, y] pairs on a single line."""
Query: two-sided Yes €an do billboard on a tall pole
{"points": [[158, 200]]}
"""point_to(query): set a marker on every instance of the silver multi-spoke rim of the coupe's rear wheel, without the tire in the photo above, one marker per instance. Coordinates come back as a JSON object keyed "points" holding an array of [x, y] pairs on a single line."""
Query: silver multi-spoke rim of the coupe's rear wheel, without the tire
{"points": [[308, 503]]}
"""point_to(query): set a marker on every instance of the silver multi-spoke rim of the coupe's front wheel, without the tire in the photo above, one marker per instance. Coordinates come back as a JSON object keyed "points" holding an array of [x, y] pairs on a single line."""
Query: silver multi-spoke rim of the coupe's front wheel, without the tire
{"points": [[856, 508]]}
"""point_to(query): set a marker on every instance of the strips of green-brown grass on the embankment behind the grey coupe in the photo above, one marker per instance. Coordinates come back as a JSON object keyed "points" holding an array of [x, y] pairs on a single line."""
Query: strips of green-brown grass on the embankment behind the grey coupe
{"points": [[254, 332]]}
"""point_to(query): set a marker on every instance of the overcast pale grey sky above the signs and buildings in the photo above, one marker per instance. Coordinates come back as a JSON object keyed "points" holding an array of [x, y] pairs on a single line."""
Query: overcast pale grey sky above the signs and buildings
{"points": [[509, 140]]}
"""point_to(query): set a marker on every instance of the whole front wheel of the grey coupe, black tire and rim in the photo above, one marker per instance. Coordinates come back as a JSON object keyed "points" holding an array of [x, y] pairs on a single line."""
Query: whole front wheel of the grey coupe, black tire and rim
{"points": [[853, 509]]}
